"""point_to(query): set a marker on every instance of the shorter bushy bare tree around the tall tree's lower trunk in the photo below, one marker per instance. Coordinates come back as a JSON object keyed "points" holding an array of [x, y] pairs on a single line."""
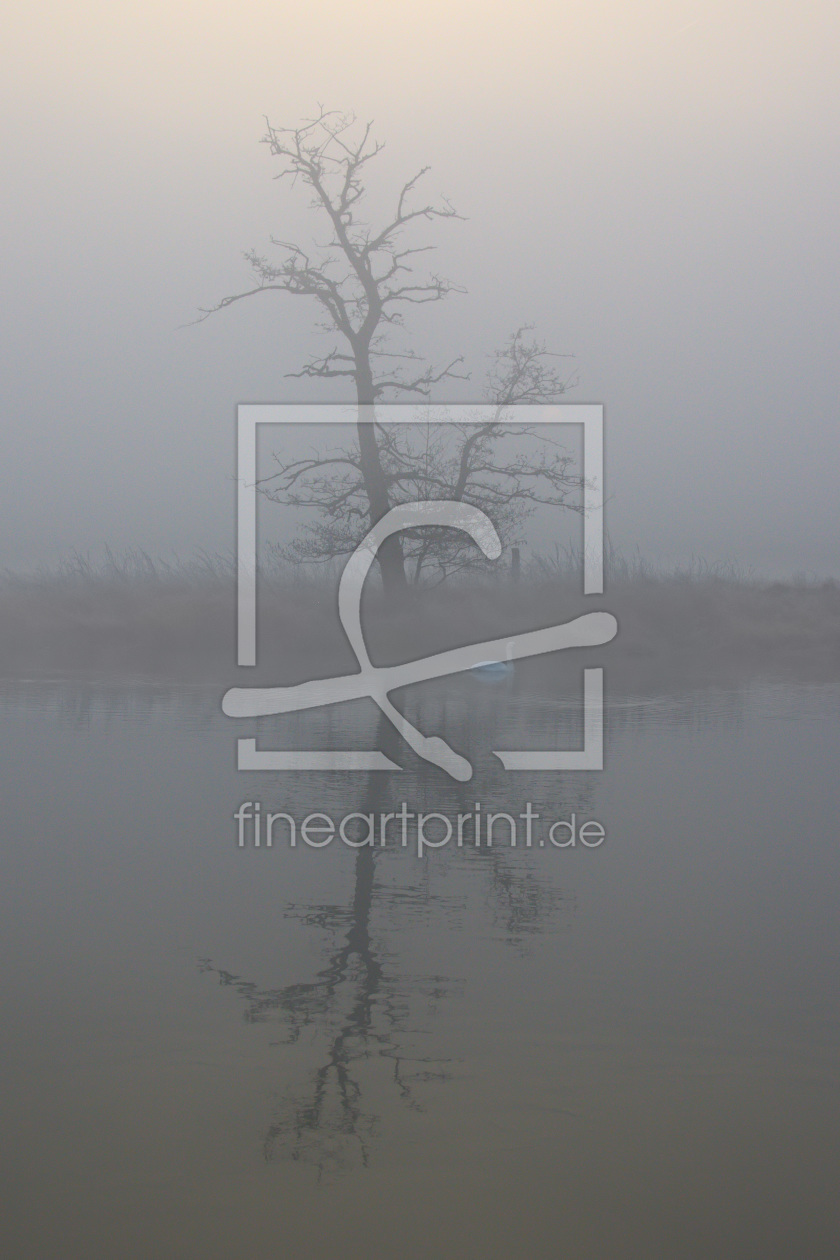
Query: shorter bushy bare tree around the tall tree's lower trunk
{"points": [[499, 464]]}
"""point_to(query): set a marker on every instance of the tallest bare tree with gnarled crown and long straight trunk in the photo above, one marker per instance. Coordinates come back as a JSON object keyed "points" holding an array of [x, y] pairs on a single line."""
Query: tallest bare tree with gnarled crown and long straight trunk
{"points": [[363, 280]]}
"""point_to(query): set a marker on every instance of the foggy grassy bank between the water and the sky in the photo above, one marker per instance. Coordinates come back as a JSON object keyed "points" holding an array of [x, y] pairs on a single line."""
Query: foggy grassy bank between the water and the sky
{"points": [[177, 622]]}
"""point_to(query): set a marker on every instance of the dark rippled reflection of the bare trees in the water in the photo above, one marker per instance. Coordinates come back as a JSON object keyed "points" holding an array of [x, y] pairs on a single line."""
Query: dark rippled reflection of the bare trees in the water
{"points": [[360, 1007]]}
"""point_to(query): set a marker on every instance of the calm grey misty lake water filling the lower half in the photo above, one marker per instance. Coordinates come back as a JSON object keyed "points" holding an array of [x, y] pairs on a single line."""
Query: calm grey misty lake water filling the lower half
{"points": [[628, 1050]]}
